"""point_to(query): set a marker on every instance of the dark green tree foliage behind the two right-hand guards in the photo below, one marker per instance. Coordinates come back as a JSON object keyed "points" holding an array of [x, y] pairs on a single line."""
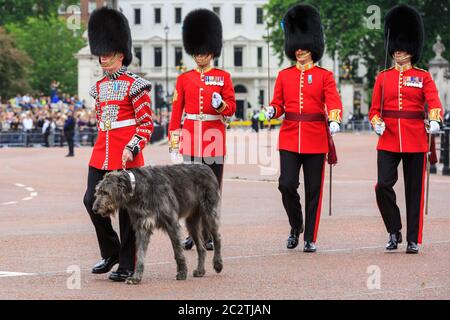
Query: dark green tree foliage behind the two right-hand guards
{"points": [[347, 32]]}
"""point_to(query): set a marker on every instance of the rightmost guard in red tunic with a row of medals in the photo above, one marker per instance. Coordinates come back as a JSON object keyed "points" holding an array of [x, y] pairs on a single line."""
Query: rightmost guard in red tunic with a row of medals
{"points": [[398, 111]]}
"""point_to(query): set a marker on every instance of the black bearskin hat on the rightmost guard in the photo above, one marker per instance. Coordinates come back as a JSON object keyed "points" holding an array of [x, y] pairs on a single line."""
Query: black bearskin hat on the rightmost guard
{"points": [[404, 25]]}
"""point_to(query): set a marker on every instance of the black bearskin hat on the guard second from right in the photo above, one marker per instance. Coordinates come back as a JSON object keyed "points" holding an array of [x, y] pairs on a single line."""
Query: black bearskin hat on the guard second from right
{"points": [[303, 30]]}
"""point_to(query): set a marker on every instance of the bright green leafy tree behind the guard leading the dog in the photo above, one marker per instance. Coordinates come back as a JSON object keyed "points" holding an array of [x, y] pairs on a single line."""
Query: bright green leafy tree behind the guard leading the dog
{"points": [[52, 47]]}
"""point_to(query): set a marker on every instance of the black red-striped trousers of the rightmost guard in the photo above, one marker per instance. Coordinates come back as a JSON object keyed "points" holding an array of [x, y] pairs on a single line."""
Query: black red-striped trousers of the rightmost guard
{"points": [[414, 168]]}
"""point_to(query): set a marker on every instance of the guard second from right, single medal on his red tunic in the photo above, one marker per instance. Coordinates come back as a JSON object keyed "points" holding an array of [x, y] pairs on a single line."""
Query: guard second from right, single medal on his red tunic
{"points": [[308, 98]]}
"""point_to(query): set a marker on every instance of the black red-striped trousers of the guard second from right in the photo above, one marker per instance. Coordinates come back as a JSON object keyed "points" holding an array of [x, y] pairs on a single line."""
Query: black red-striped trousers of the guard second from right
{"points": [[313, 172]]}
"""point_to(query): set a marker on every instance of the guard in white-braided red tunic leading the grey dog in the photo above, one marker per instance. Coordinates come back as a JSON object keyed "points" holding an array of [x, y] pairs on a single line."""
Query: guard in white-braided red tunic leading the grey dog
{"points": [[124, 117]]}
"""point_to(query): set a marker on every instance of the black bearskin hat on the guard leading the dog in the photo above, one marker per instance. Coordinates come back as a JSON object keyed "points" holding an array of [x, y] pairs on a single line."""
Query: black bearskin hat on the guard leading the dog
{"points": [[108, 32]]}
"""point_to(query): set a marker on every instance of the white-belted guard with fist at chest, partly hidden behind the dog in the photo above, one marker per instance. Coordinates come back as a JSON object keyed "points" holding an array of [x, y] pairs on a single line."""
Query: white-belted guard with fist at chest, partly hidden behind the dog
{"points": [[205, 96]]}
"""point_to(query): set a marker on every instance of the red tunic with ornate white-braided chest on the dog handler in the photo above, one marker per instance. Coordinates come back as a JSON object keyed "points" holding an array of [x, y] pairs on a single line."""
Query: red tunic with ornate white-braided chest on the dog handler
{"points": [[121, 99]]}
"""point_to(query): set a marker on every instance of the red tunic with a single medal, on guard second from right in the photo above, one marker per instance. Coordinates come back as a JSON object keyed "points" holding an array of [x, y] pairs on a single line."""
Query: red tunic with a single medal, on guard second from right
{"points": [[306, 89]]}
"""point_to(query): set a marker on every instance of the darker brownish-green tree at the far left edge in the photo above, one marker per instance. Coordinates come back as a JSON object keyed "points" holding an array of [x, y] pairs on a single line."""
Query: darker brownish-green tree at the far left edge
{"points": [[13, 67]]}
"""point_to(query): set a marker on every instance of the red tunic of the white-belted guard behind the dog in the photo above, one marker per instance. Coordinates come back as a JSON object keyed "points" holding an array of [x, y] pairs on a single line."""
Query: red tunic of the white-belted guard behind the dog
{"points": [[193, 95]]}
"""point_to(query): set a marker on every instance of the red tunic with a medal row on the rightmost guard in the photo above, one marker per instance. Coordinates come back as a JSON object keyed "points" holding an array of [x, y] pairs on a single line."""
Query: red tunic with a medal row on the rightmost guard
{"points": [[405, 89]]}
